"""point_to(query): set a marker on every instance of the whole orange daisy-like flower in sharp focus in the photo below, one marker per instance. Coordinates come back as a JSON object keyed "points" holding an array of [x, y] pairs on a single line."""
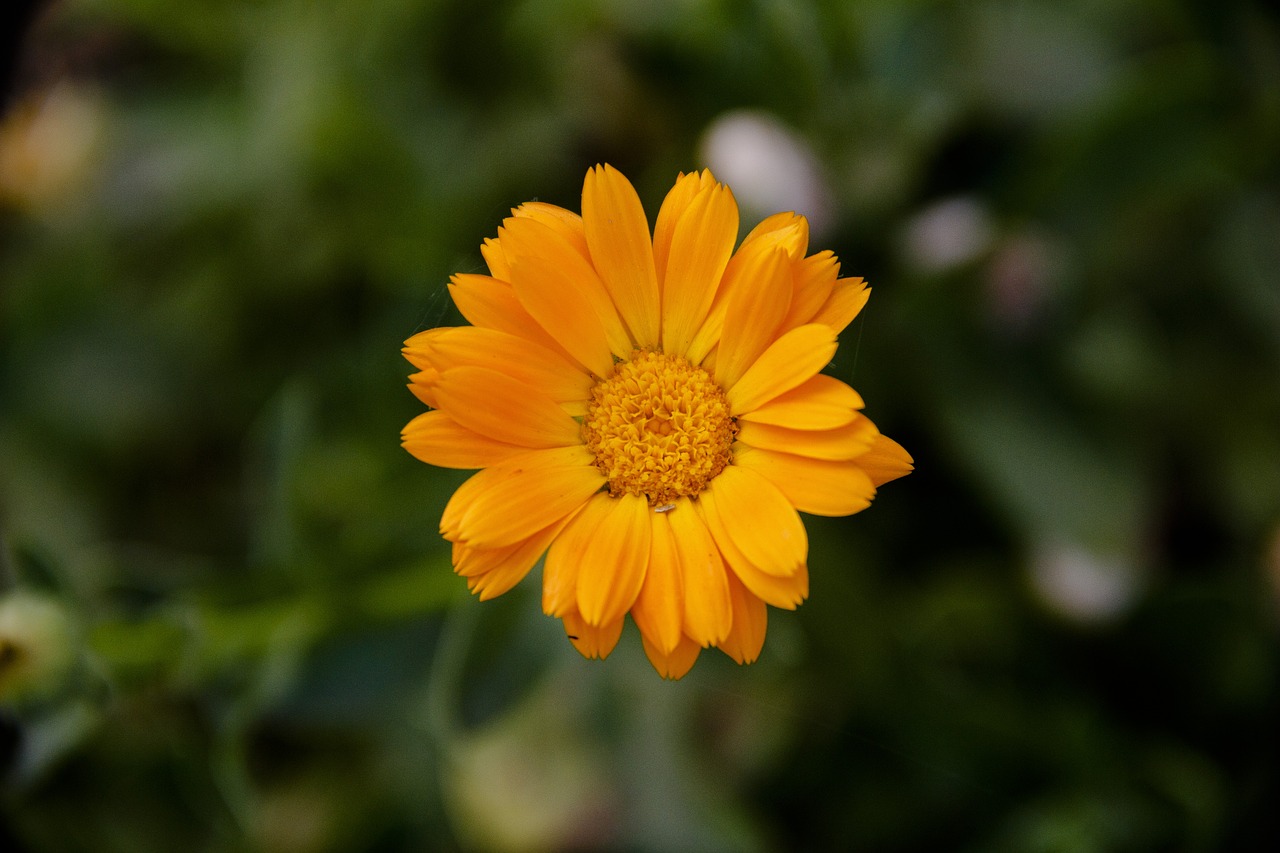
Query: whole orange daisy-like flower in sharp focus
{"points": [[648, 413]]}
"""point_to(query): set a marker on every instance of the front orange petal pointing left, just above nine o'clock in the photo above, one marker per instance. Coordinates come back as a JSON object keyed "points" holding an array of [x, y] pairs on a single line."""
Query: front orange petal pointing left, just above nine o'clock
{"points": [[505, 409]]}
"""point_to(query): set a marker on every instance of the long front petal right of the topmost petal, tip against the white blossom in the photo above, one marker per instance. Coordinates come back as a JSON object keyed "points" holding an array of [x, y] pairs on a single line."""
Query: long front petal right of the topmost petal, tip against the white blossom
{"points": [[701, 248]]}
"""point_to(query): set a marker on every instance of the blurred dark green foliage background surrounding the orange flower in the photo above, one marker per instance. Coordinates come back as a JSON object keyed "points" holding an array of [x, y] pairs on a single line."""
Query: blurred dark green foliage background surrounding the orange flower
{"points": [[228, 622]]}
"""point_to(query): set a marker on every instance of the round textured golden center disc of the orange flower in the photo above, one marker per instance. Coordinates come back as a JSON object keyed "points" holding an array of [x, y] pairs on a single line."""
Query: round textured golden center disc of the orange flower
{"points": [[659, 427]]}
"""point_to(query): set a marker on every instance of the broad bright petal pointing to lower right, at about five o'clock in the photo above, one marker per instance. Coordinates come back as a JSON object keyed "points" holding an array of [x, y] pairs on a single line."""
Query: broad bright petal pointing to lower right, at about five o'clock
{"points": [[760, 519]]}
